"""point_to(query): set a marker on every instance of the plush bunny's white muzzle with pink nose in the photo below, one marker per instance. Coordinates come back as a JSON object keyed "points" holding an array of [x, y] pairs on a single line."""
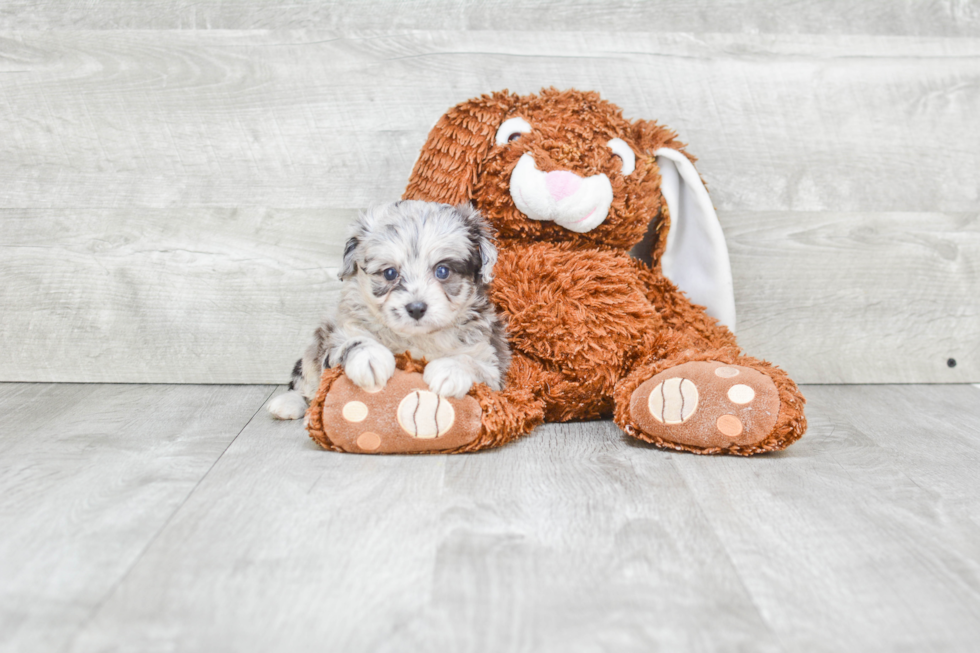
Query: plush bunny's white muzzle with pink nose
{"points": [[573, 202]]}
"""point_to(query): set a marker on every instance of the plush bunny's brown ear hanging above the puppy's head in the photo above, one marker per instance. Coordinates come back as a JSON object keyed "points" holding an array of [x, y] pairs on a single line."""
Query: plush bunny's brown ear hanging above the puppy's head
{"points": [[449, 162]]}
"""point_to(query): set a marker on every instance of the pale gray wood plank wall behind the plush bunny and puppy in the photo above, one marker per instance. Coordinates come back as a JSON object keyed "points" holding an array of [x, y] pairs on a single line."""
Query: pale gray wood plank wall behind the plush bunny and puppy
{"points": [[176, 177]]}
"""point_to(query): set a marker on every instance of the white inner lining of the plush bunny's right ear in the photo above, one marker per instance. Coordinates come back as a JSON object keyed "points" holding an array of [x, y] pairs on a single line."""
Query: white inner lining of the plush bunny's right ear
{"points": [[696, 257]]}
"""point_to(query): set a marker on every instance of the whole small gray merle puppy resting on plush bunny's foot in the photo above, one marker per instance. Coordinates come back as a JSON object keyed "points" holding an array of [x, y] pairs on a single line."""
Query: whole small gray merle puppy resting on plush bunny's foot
{"points": [[415, 276]]}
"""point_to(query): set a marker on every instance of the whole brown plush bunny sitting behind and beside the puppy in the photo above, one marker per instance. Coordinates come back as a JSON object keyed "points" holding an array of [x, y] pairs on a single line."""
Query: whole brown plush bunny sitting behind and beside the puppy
{"points": [[571, 186]]}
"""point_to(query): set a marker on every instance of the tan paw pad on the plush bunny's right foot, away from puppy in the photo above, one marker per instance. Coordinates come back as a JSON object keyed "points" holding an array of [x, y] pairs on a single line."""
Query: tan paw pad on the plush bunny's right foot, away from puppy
{"points": [[707, 404]]}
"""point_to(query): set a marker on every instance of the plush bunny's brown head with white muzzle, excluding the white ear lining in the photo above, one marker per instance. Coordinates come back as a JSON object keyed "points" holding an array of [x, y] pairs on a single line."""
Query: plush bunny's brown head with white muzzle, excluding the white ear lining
{"points": [[557, 166]]}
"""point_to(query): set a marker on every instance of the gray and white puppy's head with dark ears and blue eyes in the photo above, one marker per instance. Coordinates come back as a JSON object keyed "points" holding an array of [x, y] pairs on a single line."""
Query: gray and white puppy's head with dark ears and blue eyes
{"points": [[419, 265]]}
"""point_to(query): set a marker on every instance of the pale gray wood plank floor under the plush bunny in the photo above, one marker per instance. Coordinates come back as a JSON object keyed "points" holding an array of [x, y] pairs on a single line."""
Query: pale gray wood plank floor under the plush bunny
{"points": [[182, 518]]}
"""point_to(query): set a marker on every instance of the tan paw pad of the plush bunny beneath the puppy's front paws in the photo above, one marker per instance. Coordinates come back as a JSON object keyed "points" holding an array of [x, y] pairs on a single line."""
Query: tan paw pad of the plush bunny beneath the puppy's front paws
{"points": [[404, 417]]}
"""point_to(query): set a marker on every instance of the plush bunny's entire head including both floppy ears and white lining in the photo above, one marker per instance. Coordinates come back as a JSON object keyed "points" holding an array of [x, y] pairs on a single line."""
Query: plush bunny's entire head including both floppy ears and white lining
{"points": [[566, 166]]}
